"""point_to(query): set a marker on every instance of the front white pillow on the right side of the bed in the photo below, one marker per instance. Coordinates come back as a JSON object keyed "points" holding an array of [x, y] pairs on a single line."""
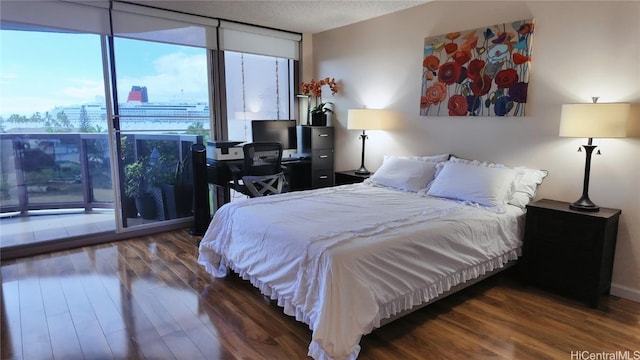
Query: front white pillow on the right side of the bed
{"points": [[483, 185]]}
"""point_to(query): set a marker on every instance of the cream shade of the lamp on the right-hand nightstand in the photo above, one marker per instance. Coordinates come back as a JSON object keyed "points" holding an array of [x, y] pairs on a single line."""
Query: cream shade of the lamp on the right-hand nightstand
{"points": [[594, 120]]}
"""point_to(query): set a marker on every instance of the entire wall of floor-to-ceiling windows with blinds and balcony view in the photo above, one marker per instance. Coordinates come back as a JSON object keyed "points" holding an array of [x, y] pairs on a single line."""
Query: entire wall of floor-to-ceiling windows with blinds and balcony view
{"points": [[100, 102]]}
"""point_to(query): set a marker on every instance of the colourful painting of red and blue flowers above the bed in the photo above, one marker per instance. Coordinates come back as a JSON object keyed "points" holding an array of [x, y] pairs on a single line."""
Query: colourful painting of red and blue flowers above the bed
{"points": [[481, 72]]}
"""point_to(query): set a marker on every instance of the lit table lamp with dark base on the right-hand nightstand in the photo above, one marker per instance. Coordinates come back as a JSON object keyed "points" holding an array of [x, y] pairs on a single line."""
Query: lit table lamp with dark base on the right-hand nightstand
{"points": [[589, 121]]}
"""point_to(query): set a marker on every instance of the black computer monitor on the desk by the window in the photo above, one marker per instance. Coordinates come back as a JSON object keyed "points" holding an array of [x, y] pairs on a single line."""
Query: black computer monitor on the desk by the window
{"points": [[282, 131]]}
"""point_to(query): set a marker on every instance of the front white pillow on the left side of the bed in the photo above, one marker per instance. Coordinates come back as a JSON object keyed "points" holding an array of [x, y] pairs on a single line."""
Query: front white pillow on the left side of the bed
{"points": [[403, 173]]}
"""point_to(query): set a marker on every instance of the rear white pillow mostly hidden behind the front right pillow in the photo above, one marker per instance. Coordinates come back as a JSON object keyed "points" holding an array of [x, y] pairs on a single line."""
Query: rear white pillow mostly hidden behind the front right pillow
{"points": [[525, 185]]}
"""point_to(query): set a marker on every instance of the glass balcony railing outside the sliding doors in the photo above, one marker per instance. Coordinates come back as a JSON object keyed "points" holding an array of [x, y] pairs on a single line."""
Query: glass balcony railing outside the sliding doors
{"points": [[59, 171]]}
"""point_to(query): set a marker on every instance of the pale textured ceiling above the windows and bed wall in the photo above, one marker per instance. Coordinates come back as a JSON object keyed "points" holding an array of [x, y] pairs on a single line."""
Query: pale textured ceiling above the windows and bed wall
{"points": [[303, 16]]}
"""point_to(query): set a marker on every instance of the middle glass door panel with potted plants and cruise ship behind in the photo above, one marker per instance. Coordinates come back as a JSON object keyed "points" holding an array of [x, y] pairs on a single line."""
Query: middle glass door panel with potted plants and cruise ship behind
{"points": [[162, 109]]}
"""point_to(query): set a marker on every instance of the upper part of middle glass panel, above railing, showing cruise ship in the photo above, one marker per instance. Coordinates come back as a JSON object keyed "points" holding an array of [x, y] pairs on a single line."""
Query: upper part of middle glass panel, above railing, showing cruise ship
{"points": [[162, 87]]}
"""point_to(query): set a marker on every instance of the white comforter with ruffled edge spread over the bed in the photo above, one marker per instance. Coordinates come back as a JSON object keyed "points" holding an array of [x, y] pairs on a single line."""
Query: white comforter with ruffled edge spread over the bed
{"points": [[341, 259]]}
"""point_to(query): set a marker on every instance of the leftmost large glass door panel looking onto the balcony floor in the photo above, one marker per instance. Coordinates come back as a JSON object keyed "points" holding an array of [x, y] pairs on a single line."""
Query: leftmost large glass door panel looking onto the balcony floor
{"points": [[55, 154]]}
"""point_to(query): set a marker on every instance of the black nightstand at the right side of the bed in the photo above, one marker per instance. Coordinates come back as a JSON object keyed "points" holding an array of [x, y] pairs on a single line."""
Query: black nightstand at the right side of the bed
{"points": [[569, 252]]}
